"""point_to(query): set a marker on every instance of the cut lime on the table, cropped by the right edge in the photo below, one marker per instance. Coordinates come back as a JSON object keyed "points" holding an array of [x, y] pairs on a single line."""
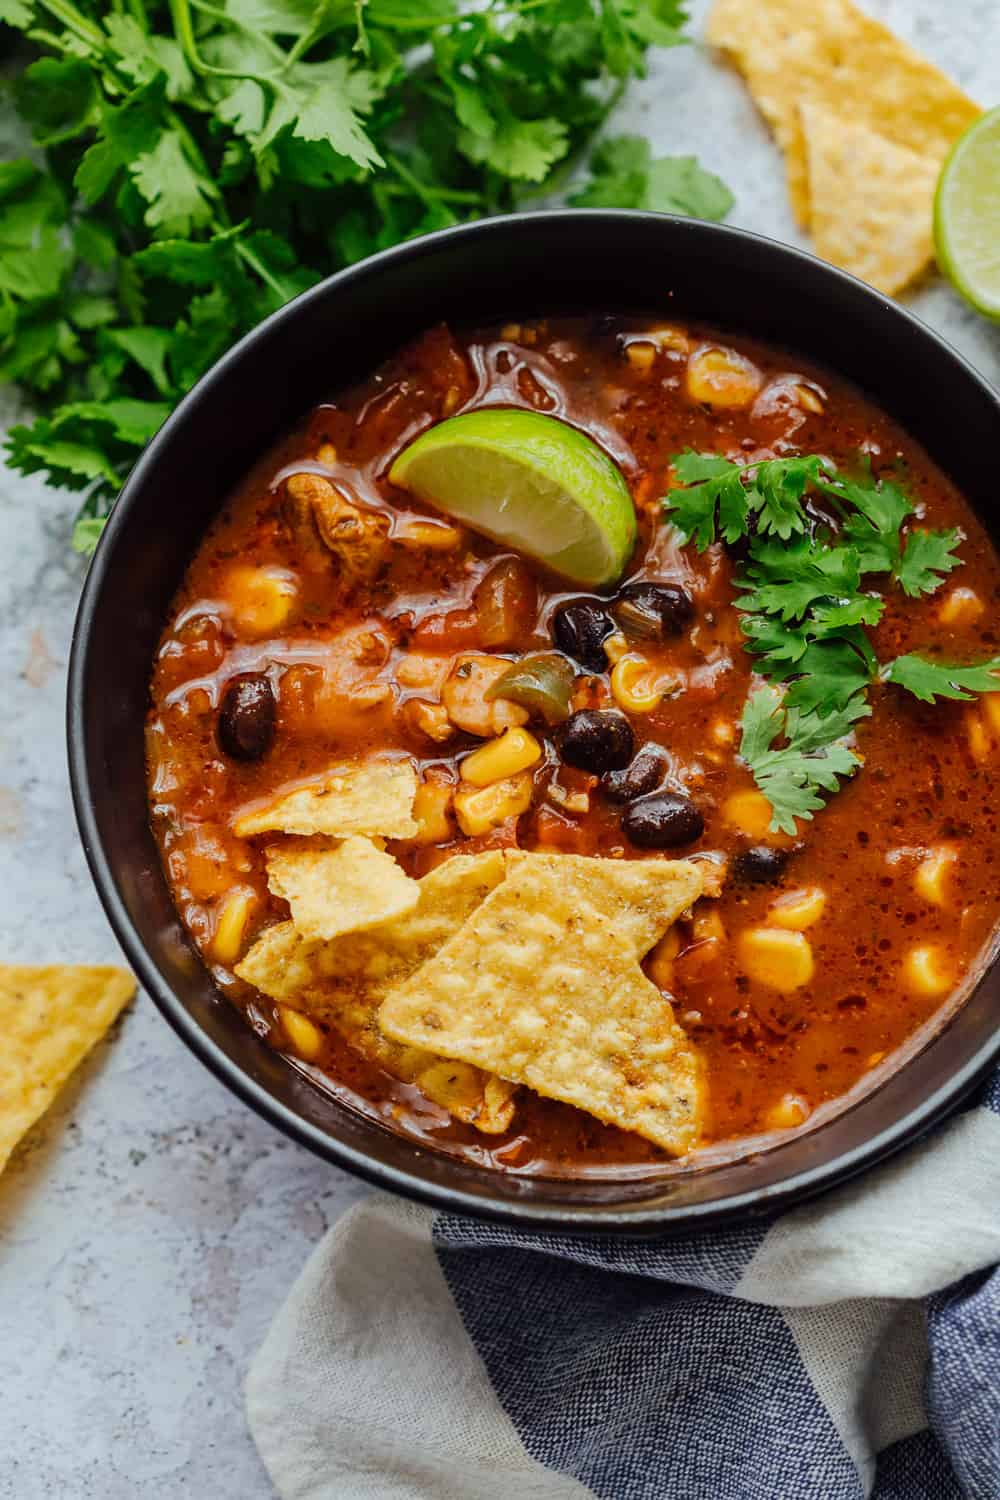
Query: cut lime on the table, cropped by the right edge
{"points": [[968, 215]]}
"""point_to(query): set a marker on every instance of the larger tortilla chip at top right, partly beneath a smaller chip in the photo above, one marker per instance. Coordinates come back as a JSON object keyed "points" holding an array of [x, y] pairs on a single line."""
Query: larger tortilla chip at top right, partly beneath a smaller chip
{"points": [[831, 55]]}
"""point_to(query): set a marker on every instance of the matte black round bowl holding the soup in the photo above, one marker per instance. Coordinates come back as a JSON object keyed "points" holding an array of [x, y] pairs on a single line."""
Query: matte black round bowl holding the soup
{"points": [[512, 268]]}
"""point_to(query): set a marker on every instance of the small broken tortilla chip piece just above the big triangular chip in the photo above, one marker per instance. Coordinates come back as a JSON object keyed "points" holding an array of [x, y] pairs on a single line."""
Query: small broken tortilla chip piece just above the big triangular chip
{"points": [[340, 889]]}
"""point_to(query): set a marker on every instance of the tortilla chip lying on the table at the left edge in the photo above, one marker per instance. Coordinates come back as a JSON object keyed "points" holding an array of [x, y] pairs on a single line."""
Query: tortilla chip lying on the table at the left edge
{"points": [[50, 1019]]}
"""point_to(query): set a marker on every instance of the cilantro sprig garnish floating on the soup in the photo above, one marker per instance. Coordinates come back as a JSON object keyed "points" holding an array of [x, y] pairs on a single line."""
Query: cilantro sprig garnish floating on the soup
{"points": [[806, 607]]}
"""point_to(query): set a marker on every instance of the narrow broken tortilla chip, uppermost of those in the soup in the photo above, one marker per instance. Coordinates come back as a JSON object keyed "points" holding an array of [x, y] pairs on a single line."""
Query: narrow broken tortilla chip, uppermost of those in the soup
{"points": [[376, 799]]}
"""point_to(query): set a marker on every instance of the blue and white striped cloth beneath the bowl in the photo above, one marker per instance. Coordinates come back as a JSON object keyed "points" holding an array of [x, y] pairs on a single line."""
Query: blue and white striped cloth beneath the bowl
{"points": [[845, 1349]]}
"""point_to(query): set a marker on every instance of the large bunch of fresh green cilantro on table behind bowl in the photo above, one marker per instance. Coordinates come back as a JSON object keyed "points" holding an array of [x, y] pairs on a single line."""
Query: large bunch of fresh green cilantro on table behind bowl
{"points": [[208, 160]]}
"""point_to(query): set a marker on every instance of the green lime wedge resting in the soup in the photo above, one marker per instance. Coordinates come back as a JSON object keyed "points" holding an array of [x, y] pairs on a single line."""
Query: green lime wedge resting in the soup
{"points": [[530, 482]]}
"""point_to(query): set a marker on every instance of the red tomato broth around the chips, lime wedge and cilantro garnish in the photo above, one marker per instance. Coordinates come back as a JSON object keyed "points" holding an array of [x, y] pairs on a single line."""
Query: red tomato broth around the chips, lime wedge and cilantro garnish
{"points": [[358, 670]]}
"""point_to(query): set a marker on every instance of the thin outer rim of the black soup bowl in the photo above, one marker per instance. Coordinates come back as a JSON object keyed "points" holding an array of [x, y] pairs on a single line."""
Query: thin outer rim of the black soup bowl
{"points": [[576, 1219]]}
